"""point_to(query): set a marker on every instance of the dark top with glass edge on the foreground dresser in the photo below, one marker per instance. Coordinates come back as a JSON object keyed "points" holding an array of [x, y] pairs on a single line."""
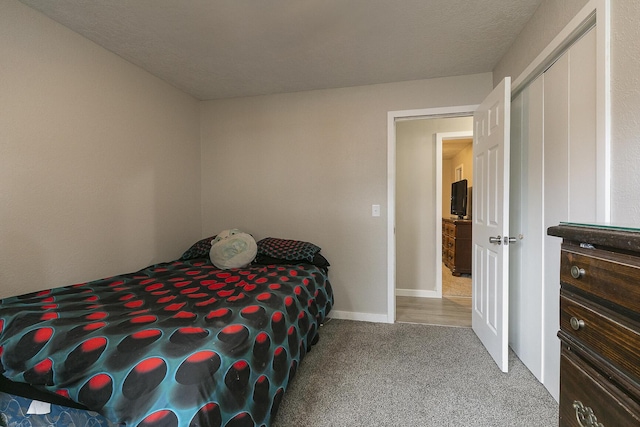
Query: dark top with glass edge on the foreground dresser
{"points": [[603, 235]]}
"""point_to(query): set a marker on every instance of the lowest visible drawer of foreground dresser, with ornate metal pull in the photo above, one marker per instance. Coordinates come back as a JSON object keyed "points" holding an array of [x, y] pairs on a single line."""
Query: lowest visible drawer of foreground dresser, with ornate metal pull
{"points": [[585, 394]]}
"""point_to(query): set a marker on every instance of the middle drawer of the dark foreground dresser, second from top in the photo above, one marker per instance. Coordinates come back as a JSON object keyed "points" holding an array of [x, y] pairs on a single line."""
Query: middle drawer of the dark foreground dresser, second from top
{"points": [[614, 337]]}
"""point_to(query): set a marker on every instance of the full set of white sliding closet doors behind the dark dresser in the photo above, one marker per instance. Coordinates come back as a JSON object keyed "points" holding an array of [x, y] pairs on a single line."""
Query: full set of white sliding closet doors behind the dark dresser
{"points": [[554, 121]]}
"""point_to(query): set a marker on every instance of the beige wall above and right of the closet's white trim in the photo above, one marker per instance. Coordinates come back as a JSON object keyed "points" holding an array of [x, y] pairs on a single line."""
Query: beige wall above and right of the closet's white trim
{"points": [[550, 18]]}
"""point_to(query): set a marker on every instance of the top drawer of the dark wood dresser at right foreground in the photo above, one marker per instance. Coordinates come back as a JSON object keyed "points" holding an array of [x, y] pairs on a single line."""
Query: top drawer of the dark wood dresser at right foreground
{"points": [[610, 276]]}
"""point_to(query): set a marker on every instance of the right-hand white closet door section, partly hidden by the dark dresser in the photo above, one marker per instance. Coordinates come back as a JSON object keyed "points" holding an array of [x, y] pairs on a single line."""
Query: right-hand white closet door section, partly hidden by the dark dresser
{"points": [[569, 173]]}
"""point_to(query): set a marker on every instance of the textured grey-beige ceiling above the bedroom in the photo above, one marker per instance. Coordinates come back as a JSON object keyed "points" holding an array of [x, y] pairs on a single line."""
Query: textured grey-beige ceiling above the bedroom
{"points": [[229, 48]]}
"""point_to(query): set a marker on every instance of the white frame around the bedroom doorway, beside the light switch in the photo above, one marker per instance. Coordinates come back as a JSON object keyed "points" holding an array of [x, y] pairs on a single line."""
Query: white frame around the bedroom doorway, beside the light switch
{"points": [[392, 117]]}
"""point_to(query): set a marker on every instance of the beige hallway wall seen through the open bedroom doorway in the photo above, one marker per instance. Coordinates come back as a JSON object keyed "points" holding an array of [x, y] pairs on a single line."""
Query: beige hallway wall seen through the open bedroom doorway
{"points": [[416, 217]]}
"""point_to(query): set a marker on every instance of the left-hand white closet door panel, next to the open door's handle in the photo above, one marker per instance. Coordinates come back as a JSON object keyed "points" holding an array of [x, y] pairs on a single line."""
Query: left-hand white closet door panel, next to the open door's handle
{"points": [[525, 301]]}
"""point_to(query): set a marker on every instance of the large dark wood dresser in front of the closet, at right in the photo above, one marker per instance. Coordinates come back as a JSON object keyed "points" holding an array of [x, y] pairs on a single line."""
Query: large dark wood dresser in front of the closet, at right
{"points": [[599, 326]]}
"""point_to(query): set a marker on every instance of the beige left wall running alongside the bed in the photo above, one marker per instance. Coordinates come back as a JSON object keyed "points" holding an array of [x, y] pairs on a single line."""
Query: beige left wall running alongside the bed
{"points": [[99, 161]]}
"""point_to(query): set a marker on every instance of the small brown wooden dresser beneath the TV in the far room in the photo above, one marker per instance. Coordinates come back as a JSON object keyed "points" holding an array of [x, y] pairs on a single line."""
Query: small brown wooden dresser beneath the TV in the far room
{"points": [[456, 245]]}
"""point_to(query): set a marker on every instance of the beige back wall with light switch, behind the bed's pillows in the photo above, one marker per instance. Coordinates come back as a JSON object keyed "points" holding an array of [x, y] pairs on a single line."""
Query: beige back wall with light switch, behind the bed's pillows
{"points": [[309, 166]]}
